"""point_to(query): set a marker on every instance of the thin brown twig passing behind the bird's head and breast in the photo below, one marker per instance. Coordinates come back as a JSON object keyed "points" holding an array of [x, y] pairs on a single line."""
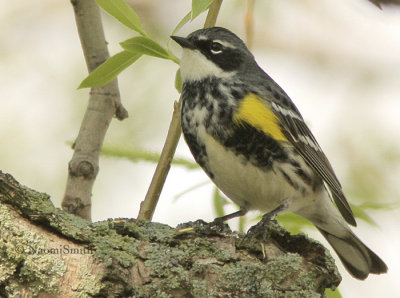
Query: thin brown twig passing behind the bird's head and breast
{"points": [[147, 207]]}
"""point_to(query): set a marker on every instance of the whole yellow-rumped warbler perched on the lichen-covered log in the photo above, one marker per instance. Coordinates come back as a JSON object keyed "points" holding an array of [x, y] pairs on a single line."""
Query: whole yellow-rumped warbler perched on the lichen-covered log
{"points": [[253, 143]]}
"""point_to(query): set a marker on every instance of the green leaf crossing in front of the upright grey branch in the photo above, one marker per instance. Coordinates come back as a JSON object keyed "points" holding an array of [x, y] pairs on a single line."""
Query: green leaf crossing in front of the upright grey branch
{"points": [[107, 71]]}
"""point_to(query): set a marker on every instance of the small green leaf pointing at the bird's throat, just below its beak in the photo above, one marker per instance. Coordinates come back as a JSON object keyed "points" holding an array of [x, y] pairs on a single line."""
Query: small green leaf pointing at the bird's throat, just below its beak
{"points": [[147, 46]]}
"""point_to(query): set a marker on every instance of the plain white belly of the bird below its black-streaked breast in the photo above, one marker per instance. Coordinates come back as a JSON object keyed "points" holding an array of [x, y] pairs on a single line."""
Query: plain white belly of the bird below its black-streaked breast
{"points": [[244, 183]]}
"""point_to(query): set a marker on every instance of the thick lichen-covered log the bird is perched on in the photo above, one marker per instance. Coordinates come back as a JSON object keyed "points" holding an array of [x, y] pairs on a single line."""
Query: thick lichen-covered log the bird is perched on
{"points": [[46, 252]]}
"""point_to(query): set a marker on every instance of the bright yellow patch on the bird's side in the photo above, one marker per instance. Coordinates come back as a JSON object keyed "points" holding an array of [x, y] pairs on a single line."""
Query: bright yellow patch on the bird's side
{"points": [[253, 111]]}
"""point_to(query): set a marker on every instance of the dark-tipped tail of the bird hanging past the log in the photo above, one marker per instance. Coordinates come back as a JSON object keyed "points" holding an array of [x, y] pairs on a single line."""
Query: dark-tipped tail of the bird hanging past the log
{"points": [[356, 257]]}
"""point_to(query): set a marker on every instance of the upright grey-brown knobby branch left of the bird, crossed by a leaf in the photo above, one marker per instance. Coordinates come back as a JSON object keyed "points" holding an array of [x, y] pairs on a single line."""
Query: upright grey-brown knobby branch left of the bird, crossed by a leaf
{"points": [[104, 103]]}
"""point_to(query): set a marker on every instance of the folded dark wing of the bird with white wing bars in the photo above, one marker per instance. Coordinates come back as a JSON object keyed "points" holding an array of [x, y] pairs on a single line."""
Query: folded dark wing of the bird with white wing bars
{"points": [[299, 135]]}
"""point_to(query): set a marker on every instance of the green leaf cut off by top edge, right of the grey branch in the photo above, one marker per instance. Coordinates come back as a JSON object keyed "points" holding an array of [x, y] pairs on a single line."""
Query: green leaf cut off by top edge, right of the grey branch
{"points": [[120, 10]]}
